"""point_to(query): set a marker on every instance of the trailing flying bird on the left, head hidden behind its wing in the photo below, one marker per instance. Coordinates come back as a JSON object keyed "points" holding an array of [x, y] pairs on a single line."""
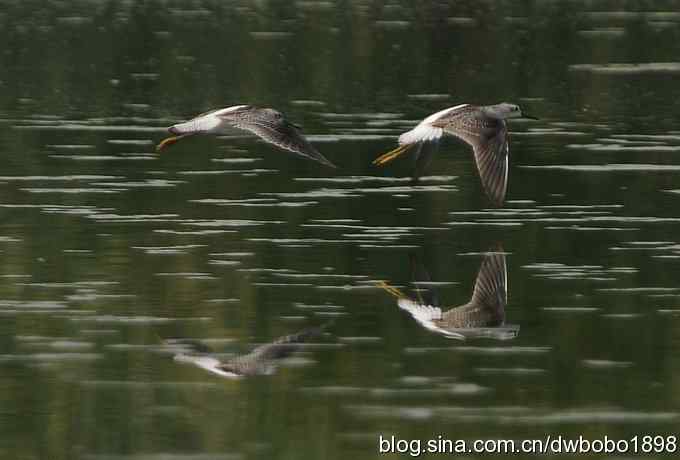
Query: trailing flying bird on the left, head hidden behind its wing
{"points": [[269, 124]]}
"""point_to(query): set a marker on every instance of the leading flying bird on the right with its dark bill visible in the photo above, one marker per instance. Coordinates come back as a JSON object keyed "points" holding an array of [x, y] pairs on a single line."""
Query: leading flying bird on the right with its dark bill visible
{"points": [[482, 127]]}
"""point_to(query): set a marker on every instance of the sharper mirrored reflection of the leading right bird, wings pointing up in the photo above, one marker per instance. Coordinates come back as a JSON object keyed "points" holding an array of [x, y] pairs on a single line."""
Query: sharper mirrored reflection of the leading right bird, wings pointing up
{"points": [[482, 316]]}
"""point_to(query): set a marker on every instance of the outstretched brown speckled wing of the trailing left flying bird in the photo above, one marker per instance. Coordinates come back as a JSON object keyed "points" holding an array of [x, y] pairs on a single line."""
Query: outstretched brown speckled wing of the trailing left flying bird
{"points": [[272, 127]]}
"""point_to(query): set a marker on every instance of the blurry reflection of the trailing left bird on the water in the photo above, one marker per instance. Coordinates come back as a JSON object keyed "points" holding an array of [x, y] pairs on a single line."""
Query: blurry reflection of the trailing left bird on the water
{"points": [[263, 360]]}
